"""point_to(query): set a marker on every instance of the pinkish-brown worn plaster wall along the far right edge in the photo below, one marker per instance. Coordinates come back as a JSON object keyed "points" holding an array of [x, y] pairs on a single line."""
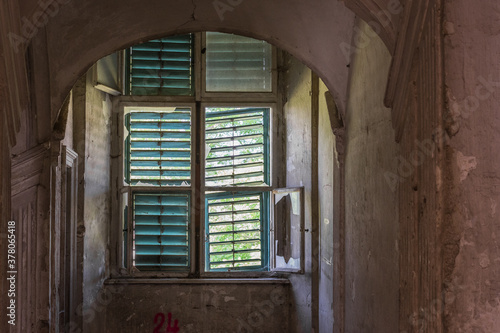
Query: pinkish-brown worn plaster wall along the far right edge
{"points": [[472, 78]]}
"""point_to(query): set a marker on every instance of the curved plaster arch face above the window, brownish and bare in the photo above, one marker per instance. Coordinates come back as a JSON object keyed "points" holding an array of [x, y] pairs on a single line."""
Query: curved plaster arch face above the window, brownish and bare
{"points": [[80, 33]]}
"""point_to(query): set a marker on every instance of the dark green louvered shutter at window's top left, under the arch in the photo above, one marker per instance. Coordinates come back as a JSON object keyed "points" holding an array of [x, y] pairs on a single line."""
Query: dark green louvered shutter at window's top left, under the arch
{"points": [[162, 67]]}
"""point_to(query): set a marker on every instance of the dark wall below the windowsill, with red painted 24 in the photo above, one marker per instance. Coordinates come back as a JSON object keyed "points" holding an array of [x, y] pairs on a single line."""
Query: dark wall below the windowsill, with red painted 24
{"points": [[200, 308]]}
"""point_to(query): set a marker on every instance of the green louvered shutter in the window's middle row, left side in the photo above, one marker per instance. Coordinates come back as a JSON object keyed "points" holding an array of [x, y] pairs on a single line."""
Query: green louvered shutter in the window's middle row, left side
{"points": [[159, 147]]}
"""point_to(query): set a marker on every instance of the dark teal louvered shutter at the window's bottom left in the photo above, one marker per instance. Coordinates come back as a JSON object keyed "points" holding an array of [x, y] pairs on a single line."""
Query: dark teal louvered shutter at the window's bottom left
{"points": [[161, 229]]}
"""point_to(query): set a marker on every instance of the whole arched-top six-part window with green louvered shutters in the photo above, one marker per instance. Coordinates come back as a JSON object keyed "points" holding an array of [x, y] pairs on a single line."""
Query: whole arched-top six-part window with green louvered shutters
{"points": [[194, 158]]}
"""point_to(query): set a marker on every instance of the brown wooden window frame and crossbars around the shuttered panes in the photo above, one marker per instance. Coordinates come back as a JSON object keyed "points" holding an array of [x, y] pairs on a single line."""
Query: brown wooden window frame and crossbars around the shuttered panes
{"points": [[121, 262]]}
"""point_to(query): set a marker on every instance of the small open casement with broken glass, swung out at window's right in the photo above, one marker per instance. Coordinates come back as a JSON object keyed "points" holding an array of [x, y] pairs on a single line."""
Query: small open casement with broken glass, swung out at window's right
{"points": [[287, 230]]}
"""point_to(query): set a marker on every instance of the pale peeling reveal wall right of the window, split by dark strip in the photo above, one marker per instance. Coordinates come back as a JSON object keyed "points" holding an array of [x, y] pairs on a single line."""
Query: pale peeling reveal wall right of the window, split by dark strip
{"points": [[299, 146]]}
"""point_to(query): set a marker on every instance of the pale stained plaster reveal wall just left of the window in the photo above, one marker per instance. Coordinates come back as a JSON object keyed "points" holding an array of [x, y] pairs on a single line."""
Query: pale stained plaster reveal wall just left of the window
{"points": [[92, 141]]}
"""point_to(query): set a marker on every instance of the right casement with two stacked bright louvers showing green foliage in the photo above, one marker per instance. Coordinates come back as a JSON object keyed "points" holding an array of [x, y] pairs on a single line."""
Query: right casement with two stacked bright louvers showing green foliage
{"points": [[237, 142]]}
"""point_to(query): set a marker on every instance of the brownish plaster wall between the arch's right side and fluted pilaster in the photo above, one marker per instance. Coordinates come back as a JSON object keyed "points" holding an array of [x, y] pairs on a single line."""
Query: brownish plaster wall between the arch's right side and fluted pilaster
{"points": [[371, 236]]}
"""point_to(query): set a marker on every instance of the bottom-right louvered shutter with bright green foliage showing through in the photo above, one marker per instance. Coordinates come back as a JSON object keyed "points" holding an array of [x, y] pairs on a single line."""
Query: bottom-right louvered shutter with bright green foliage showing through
{"points": [[237, 229]]}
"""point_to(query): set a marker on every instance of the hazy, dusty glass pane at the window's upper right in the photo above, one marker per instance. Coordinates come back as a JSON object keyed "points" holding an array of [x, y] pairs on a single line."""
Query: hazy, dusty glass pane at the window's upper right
{"points": [[236, 63]]}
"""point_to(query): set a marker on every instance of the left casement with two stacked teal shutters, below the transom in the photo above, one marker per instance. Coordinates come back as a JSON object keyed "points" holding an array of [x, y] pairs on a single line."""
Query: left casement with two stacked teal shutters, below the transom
{"points": [[157, 150]]}
